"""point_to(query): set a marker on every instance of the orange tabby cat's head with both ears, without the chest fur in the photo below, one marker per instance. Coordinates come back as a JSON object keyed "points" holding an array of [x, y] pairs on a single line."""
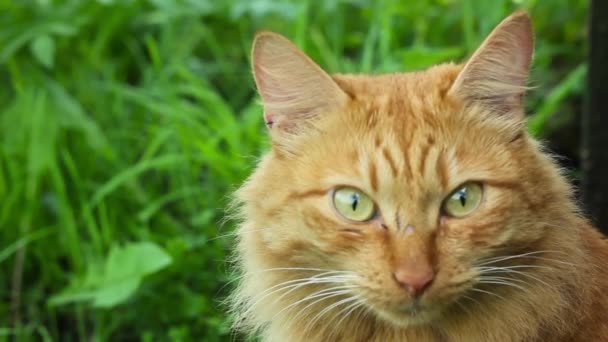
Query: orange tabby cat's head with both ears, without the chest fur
{"points": [[403, 185]]}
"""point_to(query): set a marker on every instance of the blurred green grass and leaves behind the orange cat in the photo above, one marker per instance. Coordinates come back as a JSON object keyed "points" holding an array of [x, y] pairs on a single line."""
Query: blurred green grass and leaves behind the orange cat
{"points": [[125, 125]]}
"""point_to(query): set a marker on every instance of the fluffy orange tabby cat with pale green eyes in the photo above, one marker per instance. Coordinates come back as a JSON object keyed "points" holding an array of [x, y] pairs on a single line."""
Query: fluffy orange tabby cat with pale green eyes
{"points": [[412, 207]]}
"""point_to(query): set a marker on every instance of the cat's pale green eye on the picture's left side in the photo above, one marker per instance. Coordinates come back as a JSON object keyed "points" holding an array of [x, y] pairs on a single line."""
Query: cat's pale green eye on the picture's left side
{"points": [[353, 204]]}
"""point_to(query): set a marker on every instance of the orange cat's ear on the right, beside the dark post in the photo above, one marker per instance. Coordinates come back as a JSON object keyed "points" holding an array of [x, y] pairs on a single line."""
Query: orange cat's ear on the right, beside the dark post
{"points": [[496, 75]]}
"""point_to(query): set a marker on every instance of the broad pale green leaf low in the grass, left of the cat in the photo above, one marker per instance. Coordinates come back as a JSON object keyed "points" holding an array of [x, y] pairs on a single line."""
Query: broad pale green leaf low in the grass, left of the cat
{"points": [[123, 271]]}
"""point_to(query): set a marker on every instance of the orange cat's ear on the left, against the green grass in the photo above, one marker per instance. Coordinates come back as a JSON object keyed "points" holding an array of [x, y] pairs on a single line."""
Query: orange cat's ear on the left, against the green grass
{"points": [[293, 88]]}
